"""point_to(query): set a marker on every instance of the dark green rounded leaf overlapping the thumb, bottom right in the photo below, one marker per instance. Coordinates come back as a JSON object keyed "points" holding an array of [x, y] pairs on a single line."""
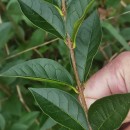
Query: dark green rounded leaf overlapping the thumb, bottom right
{"points": [[109, 112]]}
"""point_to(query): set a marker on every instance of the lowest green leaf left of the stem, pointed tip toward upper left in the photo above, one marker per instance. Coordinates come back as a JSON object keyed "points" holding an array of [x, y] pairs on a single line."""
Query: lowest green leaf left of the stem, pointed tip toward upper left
{"points": [[61, 107]]}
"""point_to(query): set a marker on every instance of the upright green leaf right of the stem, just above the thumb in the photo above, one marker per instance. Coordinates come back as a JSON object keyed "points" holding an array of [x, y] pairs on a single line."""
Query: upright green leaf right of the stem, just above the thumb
{"points": [[88, 40]]}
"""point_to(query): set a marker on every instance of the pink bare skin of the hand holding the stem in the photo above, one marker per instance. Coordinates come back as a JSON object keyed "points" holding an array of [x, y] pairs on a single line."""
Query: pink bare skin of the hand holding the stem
{"points": [[114, 78]]}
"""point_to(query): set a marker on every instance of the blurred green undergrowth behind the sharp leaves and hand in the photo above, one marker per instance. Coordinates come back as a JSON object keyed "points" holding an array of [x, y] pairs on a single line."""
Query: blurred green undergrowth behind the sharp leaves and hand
{"points": [[20, 40]]}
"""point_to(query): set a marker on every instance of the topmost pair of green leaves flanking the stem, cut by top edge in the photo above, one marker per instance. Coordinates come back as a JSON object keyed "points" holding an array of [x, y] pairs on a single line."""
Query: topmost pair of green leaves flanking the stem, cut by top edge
{"points": [[46, 14]]}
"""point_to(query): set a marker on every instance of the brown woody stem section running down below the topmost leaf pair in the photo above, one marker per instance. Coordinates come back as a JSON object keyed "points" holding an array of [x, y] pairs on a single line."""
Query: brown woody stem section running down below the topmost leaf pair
{"points": [[79, 85]]}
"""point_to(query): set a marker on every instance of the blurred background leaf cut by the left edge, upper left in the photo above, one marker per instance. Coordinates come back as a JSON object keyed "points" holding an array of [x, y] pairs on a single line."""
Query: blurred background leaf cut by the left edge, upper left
{"points": [[5, 33]]}
